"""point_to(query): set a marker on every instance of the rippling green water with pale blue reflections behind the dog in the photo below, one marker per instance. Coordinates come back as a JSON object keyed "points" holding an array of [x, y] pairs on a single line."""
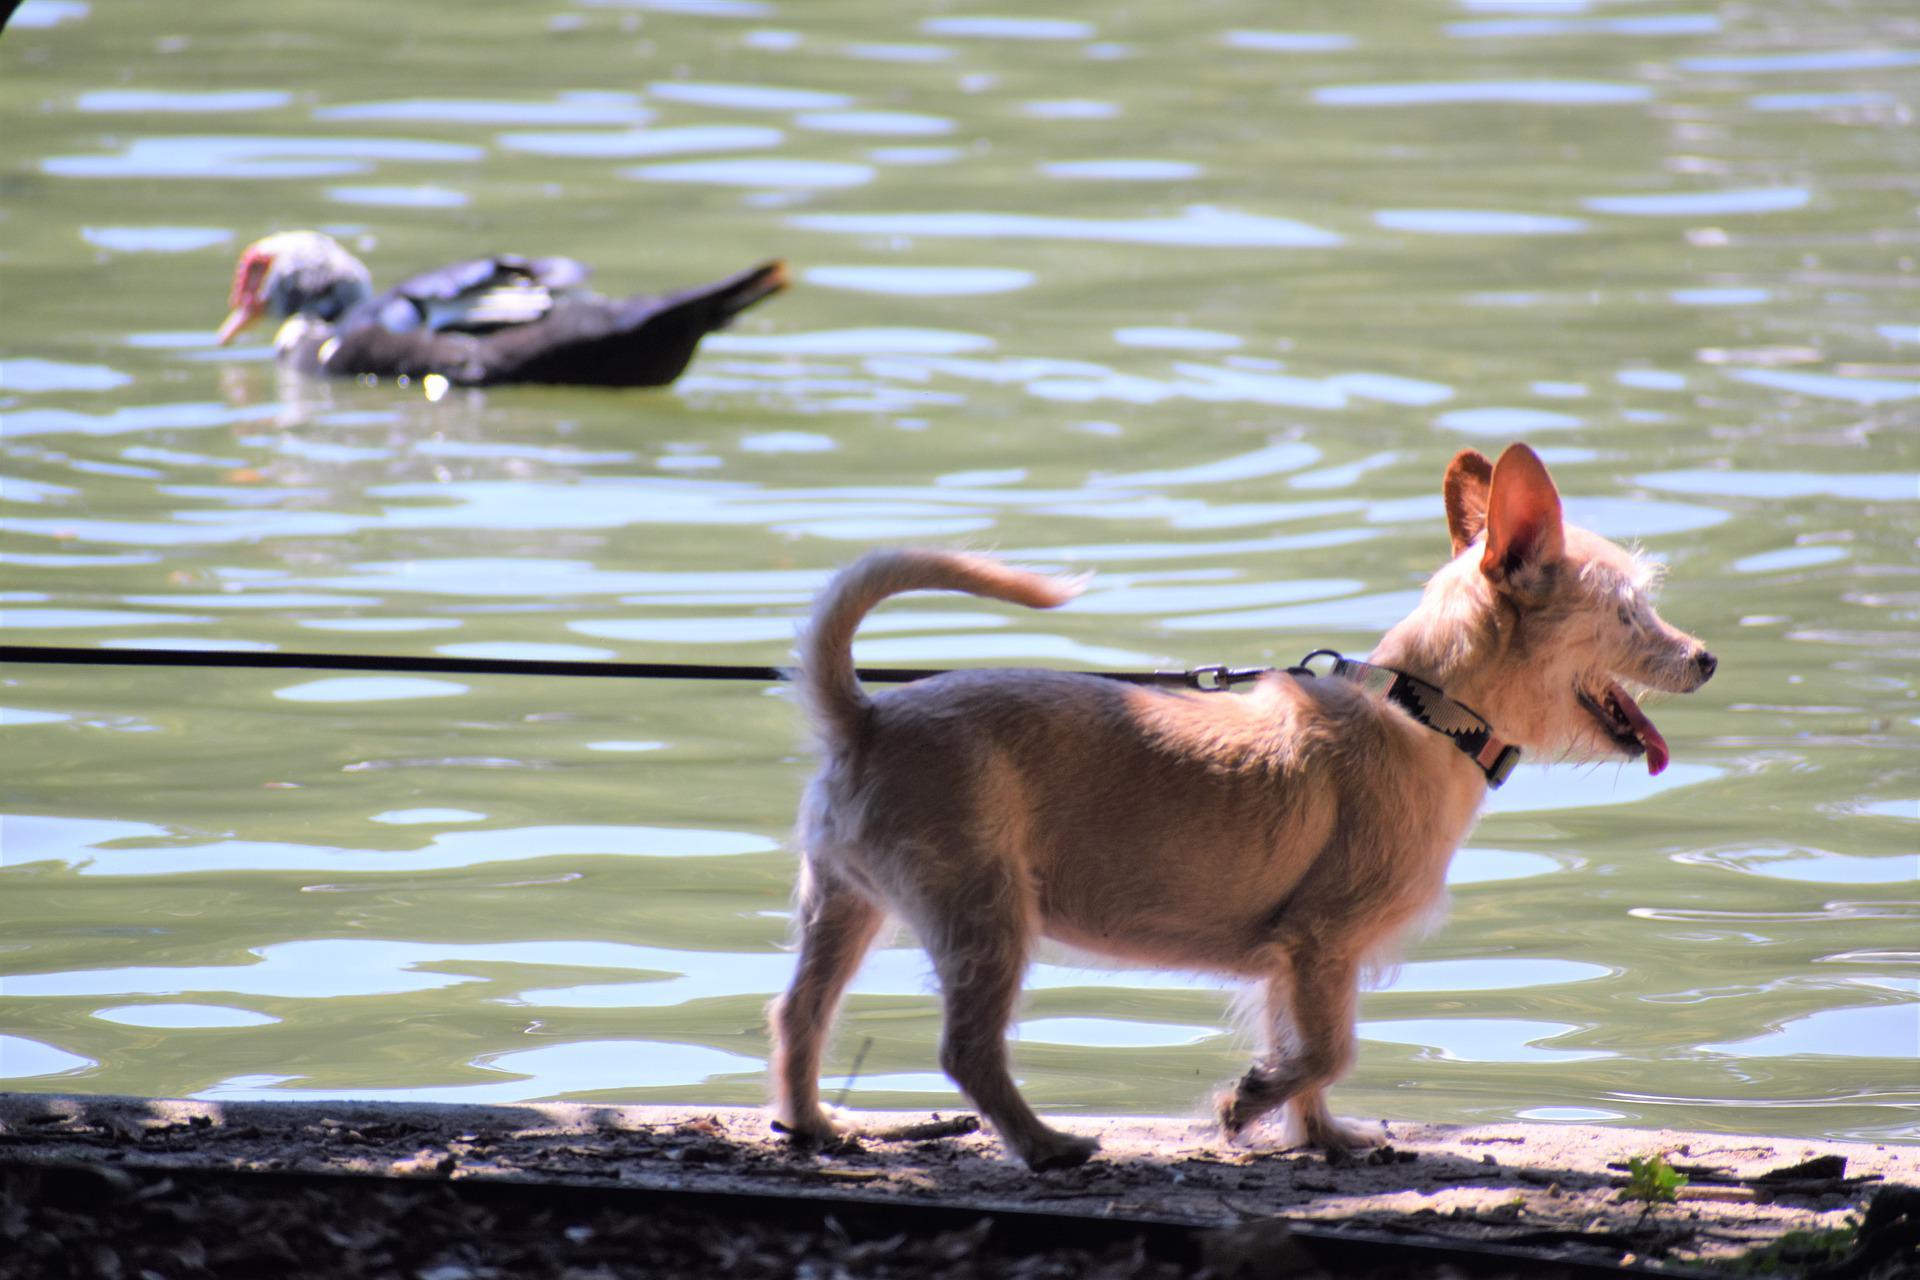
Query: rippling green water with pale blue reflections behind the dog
{"points": [[1193, 296]]}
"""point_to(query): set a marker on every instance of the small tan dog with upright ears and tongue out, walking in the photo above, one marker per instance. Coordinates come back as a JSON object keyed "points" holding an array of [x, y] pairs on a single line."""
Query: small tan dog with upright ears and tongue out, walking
{"points": [[1287, 836]]}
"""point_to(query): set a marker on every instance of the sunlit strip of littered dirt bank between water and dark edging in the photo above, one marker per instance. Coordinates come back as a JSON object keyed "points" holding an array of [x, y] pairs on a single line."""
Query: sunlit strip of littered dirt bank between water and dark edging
{"points": [[1547, 1189]]}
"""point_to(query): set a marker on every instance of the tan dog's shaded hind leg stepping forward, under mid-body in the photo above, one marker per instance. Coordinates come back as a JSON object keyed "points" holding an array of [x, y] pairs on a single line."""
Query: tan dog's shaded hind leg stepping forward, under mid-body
{"points": [[982, 957]]}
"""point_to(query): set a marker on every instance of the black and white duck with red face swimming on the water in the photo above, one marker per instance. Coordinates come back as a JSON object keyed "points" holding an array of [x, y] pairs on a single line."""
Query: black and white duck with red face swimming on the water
{"points": [[477, 323]]}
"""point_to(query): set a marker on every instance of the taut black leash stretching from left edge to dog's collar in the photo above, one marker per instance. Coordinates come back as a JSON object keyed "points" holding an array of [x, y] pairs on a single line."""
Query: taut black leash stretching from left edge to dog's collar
{"points": [[1199, 678]]}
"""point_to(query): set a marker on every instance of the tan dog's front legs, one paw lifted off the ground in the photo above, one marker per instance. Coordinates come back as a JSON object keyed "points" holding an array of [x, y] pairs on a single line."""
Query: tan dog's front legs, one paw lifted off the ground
{"points": [[1310, 1005]]}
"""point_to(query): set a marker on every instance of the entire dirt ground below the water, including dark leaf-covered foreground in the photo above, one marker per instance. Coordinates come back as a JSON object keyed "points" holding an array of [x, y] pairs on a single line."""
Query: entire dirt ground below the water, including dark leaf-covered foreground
{"points": [[128, 1187]]}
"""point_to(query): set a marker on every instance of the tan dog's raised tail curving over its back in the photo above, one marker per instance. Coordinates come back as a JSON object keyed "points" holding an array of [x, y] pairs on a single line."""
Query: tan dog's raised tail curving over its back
{"points": [[827, 678]]}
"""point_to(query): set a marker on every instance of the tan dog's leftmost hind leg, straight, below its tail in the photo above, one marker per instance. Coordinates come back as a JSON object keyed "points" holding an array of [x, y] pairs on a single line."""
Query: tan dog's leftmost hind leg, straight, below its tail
{"points": [[836, 926]]}
